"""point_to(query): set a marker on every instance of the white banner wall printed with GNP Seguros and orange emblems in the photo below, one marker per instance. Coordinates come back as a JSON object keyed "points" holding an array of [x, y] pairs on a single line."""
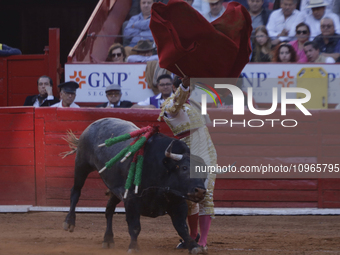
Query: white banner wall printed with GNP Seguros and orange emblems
{"points": [[93, 78]]}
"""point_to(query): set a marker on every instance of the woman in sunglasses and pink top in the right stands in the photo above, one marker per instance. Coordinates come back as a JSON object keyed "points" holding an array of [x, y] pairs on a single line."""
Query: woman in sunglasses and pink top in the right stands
{"points": [[302, 34]]}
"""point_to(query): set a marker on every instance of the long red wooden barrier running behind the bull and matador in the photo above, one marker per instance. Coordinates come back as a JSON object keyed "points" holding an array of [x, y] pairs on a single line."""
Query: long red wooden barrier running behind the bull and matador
{"points": [[33, 172]]}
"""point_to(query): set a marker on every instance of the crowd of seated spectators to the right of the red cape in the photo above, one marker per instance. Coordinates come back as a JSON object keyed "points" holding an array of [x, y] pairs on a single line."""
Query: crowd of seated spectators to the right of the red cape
{"points": [[296, 23]]}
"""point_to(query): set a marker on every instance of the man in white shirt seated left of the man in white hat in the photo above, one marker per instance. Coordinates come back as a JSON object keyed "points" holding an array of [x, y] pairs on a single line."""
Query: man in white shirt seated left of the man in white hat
{"points": [[280, 24]]}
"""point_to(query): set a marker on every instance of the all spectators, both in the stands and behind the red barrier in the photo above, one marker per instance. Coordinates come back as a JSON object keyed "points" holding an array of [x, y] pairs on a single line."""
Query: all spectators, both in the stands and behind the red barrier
{"points": [[284, 31]]}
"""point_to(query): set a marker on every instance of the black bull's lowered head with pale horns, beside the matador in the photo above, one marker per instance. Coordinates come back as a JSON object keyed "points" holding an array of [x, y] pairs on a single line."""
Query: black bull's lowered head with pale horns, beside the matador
{"points": [[179, 166]]}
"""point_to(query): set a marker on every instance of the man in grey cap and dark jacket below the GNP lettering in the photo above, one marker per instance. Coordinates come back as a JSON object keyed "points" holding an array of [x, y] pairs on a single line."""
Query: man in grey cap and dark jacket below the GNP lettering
{"points": [[113, 94]]}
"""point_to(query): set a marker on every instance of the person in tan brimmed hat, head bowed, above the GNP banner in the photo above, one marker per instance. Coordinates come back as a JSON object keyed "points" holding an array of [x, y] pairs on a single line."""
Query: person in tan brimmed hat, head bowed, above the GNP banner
{"points": [[144, 50]]}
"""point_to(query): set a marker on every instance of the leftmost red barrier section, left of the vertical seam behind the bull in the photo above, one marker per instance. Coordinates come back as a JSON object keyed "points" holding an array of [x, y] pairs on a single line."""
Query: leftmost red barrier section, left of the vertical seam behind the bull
{"points": [[17, 182]]}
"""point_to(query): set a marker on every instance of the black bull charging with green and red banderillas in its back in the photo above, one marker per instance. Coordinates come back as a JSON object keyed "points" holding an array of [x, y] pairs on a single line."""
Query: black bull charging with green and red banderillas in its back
{"points": [[166, 182]]}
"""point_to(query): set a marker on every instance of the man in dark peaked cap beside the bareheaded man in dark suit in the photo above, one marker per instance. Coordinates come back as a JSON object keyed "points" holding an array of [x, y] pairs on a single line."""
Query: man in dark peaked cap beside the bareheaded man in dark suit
{"points": [[67, 94]]}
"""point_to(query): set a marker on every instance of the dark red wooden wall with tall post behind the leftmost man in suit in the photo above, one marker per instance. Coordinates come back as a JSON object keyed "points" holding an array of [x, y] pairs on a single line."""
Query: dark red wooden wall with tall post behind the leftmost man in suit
{"points": [[19, 74]]}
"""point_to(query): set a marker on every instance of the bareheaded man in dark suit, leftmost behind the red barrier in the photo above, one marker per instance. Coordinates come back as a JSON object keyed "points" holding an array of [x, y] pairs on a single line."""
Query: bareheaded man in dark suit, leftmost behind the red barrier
{"points": [[45, 97]]}
